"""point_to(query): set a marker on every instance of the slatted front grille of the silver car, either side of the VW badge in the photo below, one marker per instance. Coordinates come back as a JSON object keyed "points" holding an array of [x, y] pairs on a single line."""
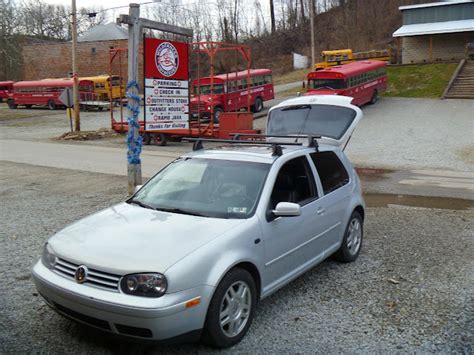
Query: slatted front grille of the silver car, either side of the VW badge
{"points": [[94, 277]]}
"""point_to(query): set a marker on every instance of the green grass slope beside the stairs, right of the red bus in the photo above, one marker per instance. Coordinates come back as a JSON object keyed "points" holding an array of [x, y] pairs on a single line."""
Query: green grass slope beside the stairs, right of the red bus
{"points": [[423, 80]]}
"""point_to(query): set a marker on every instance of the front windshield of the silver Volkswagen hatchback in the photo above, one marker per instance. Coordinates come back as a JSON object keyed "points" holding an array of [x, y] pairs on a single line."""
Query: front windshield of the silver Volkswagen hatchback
{"points": [[205, 187]]}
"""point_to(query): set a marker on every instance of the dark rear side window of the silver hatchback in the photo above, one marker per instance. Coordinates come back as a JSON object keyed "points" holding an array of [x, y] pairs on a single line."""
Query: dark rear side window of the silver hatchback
{"points": [[331, 171]]}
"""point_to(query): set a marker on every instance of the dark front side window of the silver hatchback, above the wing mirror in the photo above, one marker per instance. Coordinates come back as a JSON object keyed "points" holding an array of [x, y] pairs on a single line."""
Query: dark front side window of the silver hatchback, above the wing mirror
{"points": [[294, 183]]}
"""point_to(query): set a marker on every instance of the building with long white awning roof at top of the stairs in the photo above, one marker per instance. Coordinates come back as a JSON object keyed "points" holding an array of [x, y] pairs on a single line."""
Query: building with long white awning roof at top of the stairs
{"points": [[436, 31]]}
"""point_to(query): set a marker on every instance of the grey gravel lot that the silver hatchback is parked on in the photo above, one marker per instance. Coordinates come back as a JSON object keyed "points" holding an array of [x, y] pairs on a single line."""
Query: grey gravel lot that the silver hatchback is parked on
{"points": [[333, 308]]}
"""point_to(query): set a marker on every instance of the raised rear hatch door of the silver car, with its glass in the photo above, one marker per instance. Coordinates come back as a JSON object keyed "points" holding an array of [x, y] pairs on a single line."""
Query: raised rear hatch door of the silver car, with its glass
{"points": [[333, 121]]}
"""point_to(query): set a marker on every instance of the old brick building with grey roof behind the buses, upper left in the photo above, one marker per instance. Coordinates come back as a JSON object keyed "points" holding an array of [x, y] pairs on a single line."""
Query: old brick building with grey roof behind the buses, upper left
{"points": [[53, 60]]}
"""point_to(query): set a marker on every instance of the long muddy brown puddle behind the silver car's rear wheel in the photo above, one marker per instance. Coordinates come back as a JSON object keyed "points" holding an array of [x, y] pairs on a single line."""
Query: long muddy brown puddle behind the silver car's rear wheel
{"points": [[384, 200]]}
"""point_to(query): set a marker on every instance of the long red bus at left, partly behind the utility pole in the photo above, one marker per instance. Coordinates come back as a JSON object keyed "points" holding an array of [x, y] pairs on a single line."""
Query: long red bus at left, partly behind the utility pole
{"points": [[46, 92]]}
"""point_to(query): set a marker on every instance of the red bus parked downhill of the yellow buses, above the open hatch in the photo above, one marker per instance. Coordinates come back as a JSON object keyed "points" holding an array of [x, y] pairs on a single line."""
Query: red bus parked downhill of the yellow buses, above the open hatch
{"points": [[363, 81]]}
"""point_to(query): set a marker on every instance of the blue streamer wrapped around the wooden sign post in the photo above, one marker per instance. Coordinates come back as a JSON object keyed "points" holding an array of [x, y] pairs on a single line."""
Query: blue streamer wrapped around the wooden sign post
{"points": [[134, 145]]}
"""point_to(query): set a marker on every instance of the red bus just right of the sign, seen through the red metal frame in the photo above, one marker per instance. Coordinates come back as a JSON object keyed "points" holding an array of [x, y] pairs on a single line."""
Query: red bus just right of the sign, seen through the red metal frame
{"points": [[229, 93]]}
